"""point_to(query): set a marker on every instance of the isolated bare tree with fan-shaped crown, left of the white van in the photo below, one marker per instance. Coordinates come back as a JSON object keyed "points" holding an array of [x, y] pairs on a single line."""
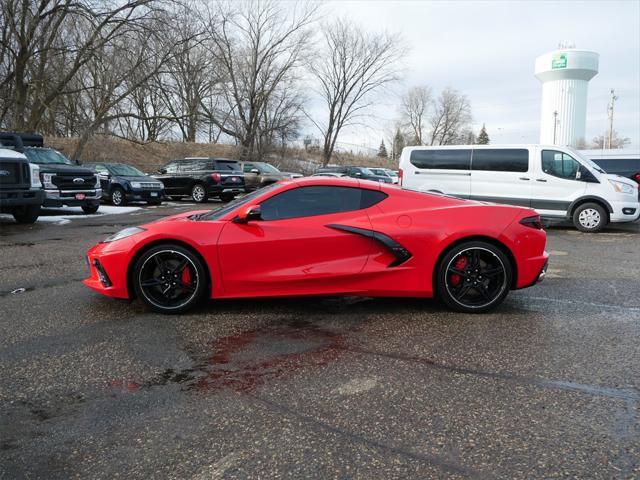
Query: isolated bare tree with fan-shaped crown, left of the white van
{"points": [[352, 65]]}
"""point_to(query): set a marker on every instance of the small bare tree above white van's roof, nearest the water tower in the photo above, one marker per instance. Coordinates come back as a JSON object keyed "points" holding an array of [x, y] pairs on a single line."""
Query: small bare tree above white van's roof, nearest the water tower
{"points": [[450, 118]]}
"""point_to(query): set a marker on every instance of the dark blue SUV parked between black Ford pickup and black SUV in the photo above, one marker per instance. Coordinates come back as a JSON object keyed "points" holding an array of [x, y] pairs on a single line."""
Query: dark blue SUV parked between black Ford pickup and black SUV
{"points": [[122, 183]]}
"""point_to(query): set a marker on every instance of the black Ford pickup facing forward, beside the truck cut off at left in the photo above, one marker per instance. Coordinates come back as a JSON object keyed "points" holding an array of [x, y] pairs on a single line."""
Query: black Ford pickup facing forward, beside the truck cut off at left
{"points": [[64, 182]]}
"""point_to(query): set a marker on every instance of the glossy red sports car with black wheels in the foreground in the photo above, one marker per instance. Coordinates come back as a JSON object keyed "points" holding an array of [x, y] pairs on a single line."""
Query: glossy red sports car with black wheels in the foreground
{"points": [[327, 236]]}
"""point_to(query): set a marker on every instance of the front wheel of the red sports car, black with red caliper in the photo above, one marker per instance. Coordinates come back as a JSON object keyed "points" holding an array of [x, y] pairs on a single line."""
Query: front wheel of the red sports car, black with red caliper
{"points": [[162, 267]]}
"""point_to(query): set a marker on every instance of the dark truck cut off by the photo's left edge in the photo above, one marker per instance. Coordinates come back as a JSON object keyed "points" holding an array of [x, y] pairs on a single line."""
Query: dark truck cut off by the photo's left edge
{"points": [[21, 192]]}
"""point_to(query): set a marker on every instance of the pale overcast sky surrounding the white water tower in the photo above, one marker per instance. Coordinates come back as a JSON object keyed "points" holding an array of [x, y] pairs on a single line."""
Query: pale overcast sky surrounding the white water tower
{"points": [[487, 49]]}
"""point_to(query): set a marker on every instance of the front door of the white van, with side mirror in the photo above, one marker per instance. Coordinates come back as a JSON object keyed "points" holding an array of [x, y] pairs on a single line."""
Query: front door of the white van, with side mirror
{"points": [[555, 186]]}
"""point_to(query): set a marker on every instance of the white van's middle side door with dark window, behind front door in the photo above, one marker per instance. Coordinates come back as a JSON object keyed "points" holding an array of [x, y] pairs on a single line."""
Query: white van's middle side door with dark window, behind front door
{"points": [[502, 175]]}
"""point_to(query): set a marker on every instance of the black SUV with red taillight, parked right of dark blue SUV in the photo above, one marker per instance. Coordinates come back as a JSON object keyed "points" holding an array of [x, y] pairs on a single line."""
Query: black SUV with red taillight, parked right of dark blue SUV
{"points": [[202, 178]]}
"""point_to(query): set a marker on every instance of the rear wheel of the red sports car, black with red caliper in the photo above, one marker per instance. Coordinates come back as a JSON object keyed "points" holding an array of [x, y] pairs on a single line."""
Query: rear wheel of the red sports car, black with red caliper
{"points": [[473, 277]]}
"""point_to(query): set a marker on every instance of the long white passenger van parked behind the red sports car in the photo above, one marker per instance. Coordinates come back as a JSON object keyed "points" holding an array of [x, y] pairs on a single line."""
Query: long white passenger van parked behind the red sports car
{"points": [[555, 181]]}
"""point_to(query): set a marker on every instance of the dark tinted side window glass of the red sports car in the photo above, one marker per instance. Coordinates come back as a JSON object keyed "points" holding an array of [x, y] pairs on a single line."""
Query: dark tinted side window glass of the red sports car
{"points": [[311, 201]]}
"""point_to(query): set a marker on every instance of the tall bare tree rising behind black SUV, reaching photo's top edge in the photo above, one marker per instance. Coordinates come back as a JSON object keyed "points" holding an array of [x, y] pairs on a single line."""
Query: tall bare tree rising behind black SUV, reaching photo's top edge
{"points": [[258, 45]]}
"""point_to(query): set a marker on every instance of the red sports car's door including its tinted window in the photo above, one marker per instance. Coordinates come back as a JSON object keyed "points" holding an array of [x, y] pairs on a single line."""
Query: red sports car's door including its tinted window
{"points": [[294, 249]]}
